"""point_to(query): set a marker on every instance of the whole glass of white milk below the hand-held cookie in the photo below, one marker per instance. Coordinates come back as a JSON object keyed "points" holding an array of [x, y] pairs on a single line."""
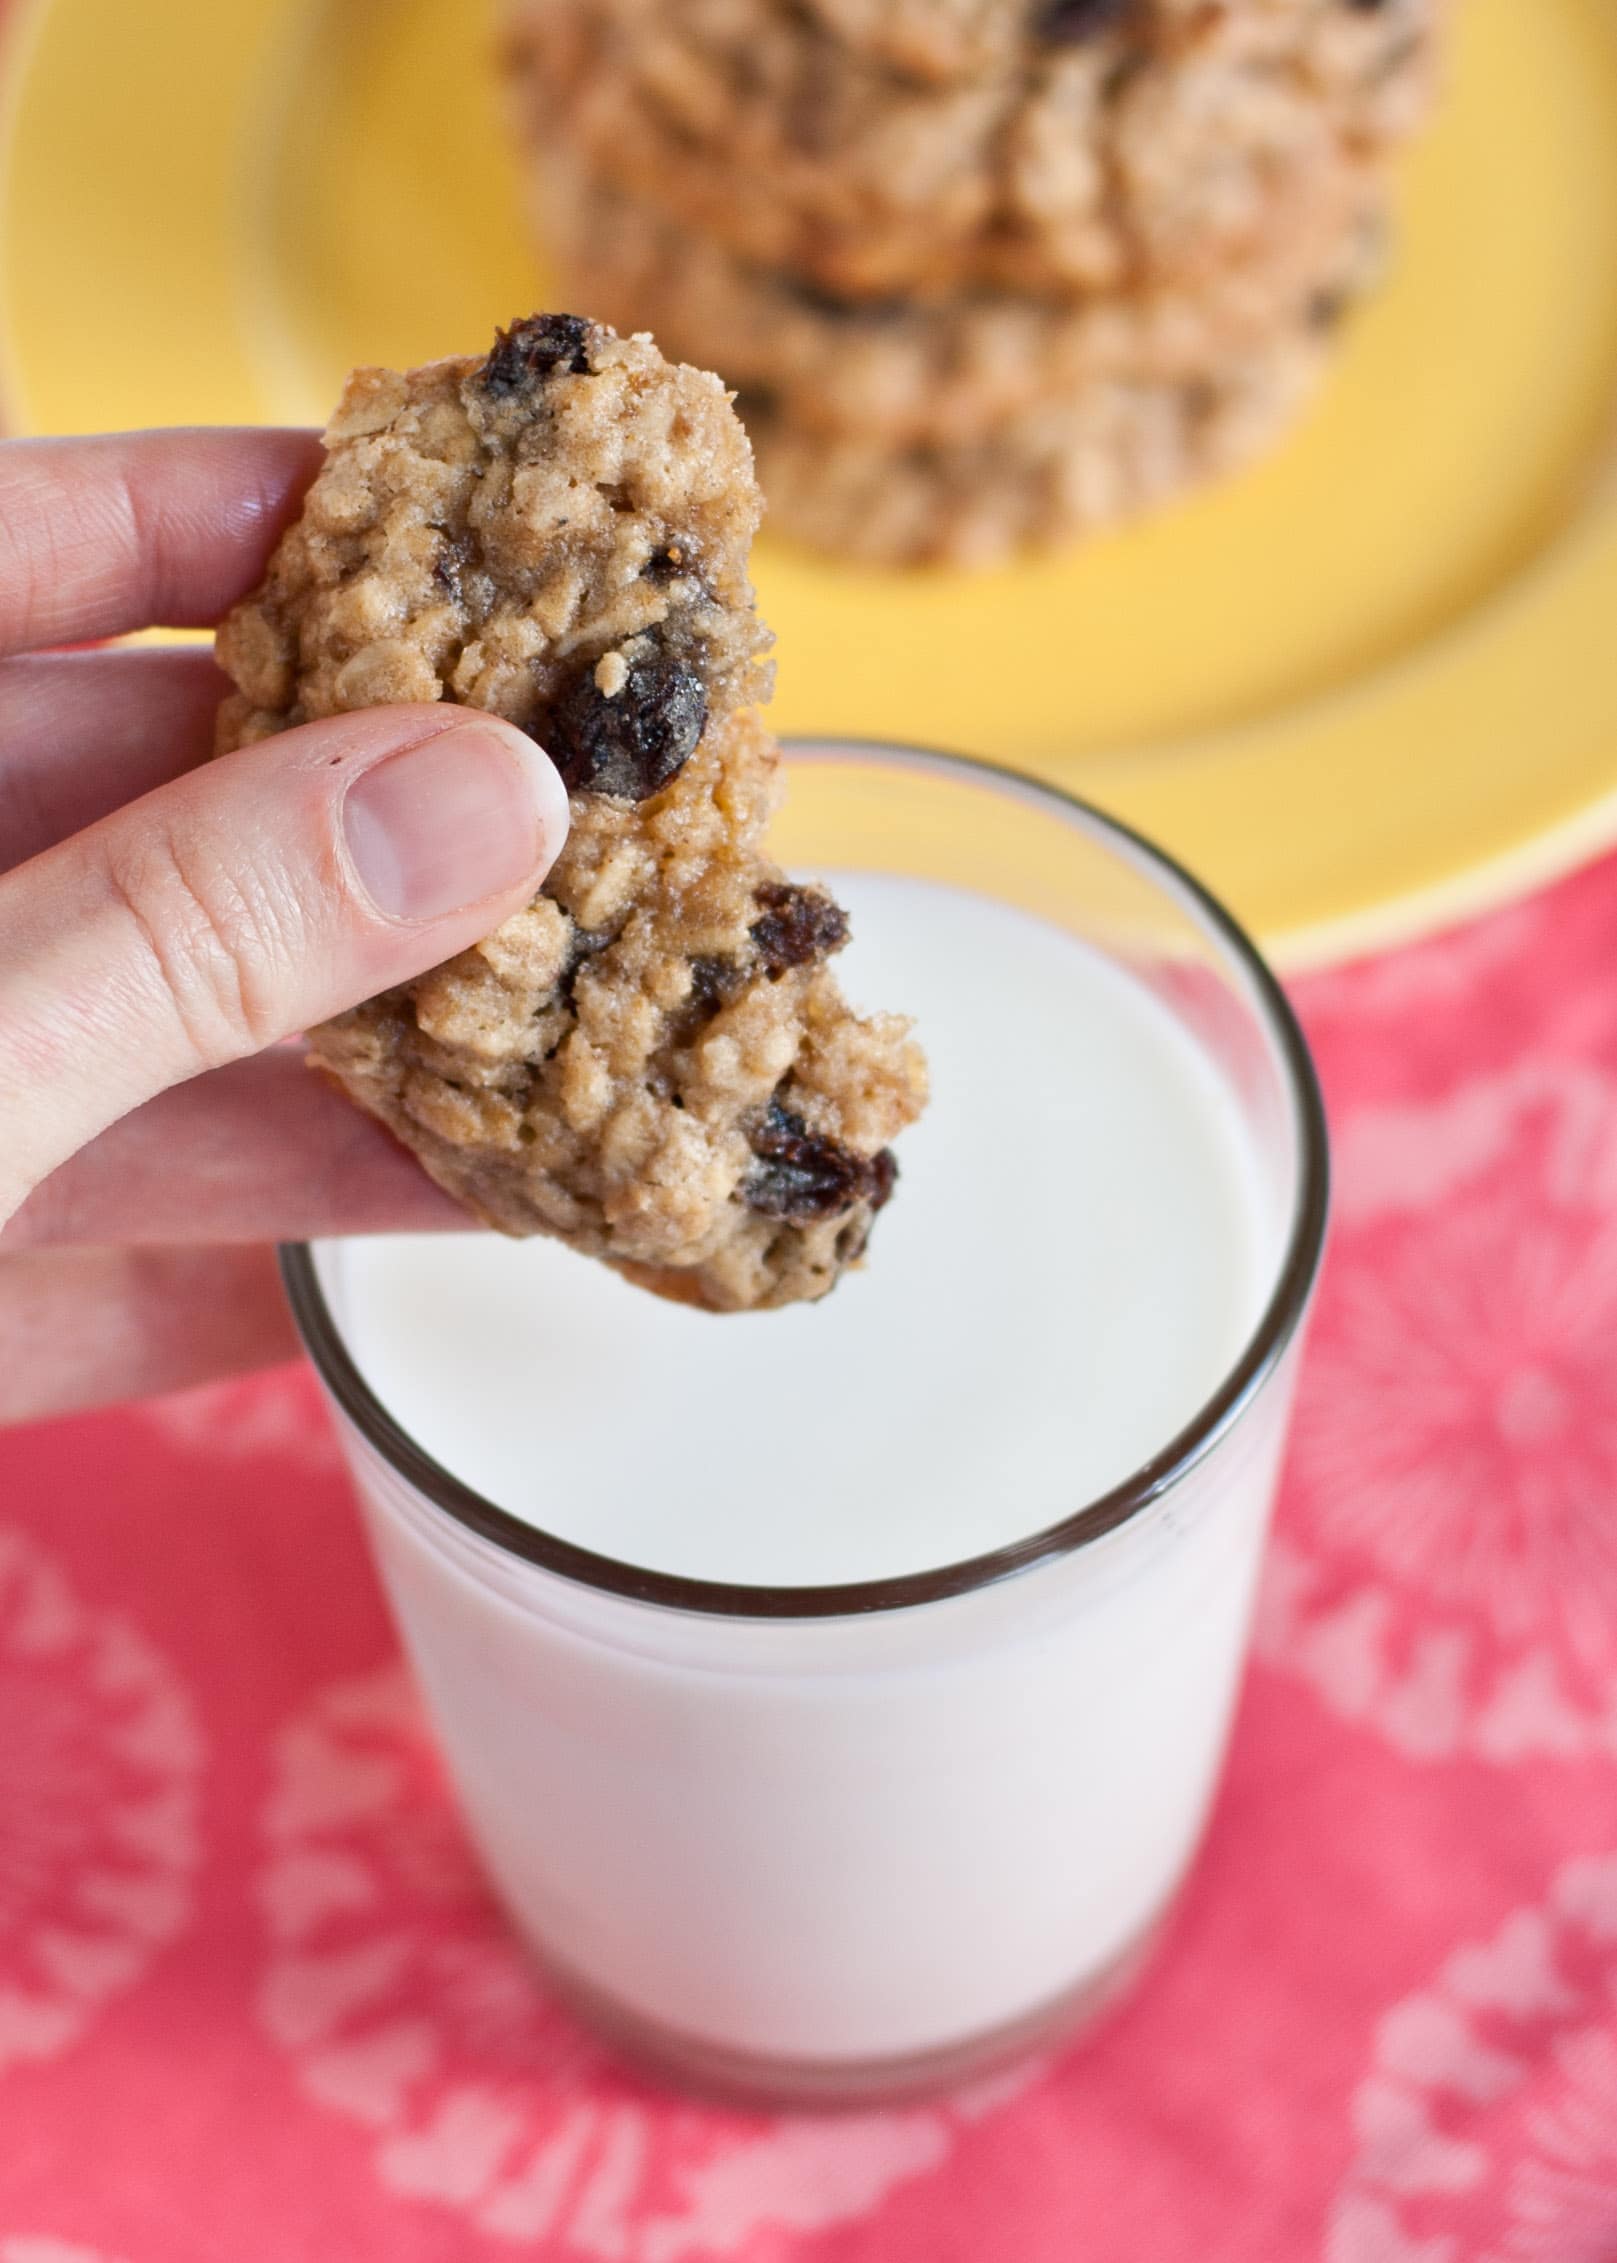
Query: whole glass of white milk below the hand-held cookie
{"points": [[838, 1694]]}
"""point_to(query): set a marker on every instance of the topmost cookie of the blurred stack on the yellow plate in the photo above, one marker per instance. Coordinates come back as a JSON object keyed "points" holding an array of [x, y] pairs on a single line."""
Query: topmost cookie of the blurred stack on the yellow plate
{"points": [[1109, 148]]}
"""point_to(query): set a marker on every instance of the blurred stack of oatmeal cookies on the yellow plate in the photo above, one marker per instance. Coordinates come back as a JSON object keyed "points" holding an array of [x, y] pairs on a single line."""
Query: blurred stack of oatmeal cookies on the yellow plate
{"points": [[985, 273]]}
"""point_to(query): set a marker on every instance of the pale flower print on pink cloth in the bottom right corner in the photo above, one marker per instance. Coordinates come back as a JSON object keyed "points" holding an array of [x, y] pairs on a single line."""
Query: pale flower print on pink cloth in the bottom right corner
{"points": [[1487, 2126]]}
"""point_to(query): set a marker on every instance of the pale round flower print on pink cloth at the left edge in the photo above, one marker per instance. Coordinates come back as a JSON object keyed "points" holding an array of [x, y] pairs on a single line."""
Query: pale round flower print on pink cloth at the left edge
{"points": [[98, 1807]]}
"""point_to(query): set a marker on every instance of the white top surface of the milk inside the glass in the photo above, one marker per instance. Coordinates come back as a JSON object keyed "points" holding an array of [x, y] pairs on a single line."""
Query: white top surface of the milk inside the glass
{"points": [[1075, 1257]]}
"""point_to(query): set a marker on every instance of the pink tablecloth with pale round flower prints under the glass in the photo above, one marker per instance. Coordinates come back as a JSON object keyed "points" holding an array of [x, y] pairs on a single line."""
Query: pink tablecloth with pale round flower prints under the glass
{"points": [[254, 2004]]}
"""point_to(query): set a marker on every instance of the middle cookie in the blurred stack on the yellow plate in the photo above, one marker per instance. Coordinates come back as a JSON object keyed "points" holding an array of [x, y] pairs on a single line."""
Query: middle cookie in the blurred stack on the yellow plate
{"points": [[946, 372]]}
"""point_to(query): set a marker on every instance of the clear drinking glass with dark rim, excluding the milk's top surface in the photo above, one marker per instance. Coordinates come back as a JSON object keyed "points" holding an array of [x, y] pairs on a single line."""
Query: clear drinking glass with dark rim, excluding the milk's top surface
{"points": [[851, 1843]]}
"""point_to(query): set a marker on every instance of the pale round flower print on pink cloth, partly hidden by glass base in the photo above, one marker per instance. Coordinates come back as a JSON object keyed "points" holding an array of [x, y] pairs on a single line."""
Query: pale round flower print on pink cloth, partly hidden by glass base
{"points": [[408, 2008]]}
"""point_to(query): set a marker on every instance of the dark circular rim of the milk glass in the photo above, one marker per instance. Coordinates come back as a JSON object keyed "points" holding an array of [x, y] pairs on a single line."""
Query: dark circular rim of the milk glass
{"points": [[1218, 1416]]}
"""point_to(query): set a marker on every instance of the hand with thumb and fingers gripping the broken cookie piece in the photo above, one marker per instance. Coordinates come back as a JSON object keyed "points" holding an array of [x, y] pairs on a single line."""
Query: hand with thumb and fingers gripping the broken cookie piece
{"points": [[171, 920]]}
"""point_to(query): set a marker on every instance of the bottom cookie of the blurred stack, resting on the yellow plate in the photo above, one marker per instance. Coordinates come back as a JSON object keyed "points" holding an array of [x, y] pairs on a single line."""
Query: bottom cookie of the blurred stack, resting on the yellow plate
{"points": [[1039, 479]]}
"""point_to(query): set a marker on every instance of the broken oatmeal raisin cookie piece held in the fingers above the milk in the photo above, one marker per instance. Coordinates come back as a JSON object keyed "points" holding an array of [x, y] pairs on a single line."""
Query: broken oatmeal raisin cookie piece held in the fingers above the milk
{"points": [[655, 1060]]}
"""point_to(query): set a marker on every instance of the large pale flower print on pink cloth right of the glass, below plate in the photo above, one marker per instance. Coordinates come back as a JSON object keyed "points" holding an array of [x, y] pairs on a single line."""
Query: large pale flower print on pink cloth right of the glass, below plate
{"points": [[1446, 1563]]}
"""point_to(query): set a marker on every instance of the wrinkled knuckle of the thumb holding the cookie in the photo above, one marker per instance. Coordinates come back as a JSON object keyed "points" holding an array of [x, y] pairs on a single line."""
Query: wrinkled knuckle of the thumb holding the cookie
{"points": [[214, 936]]}
